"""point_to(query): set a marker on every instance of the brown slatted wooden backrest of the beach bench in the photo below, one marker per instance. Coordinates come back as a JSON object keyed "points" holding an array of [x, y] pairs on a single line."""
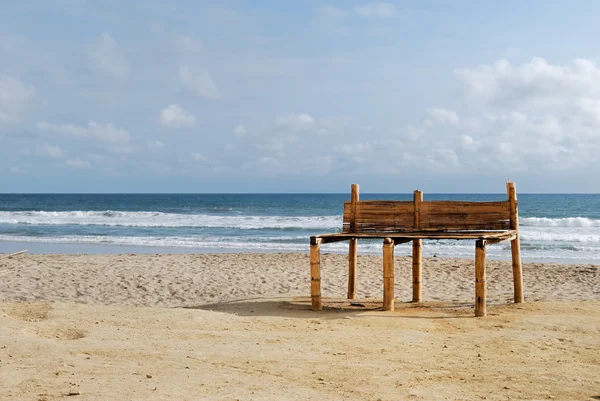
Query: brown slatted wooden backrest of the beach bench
{"points": [[401, 216]]}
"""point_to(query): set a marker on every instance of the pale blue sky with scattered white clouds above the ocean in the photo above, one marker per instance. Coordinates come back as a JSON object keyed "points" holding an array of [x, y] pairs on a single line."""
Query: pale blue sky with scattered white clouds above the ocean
{"points": [[311, 96]]}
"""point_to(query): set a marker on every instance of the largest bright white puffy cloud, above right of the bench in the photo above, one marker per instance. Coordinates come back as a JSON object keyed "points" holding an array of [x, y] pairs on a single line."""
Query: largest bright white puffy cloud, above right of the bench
{"points": [[534, 116]]}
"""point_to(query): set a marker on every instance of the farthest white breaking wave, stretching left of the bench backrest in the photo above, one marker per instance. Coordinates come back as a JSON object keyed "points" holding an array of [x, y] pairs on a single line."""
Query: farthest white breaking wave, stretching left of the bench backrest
{"points": [[158, 219]]}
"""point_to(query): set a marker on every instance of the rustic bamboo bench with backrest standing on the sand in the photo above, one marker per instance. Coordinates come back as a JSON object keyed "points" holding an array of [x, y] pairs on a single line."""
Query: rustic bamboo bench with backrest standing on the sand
{"points": [[399, 222]]}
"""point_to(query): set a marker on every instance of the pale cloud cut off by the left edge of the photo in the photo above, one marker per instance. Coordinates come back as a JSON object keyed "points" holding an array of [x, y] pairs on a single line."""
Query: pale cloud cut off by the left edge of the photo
{"points": [[15, 99]]}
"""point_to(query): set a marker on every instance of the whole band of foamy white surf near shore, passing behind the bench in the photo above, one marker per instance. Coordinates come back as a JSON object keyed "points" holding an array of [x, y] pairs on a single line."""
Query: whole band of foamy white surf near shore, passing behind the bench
{"points": [[542, 238]]}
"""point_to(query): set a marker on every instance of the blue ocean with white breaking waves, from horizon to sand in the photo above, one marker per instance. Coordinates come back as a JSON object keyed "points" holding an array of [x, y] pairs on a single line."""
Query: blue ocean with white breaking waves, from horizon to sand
{"points": [[554, 227]]}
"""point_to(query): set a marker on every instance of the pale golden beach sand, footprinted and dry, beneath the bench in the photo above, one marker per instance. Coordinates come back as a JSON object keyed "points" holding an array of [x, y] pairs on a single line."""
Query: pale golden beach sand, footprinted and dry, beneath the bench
{"points": [[239, 326]]}
